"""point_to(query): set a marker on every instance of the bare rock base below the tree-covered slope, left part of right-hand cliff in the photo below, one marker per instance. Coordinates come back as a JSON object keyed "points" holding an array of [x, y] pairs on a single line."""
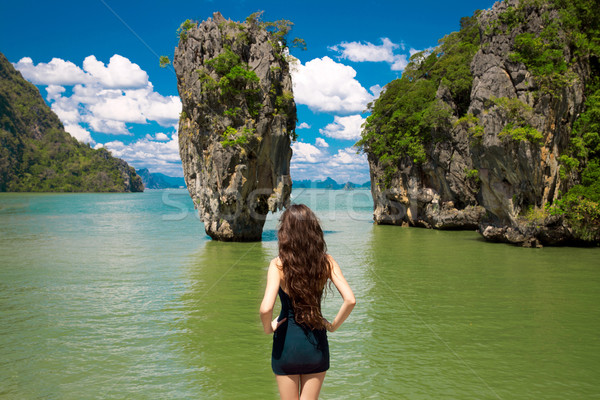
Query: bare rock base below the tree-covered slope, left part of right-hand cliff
{"points": [[435, 194]]}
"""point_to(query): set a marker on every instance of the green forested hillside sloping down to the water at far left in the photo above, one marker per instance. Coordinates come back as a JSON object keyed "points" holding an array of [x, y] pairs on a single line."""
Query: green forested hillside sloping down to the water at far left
{"points": [[36, 154]]}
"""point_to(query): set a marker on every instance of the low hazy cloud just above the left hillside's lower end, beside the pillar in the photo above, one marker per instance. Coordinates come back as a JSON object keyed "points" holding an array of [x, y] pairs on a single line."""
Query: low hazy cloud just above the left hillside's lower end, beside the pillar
{"points": [[157, 156]]}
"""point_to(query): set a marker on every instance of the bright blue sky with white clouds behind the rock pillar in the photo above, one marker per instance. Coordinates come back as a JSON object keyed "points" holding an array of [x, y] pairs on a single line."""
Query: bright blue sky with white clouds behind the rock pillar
{"points": [[96, 64]]}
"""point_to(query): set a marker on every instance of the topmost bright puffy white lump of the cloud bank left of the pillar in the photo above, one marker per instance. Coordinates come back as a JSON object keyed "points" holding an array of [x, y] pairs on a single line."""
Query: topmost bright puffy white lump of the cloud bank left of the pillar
{"points": [[119, 73]]}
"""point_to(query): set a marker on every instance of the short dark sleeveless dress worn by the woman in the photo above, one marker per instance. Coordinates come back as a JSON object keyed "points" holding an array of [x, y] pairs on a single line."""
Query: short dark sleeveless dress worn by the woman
{"points": [[297, 349]]}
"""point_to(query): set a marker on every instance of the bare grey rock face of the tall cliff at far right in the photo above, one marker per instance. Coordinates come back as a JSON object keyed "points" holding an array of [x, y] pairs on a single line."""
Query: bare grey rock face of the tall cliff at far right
{"points": [[520, 174]]}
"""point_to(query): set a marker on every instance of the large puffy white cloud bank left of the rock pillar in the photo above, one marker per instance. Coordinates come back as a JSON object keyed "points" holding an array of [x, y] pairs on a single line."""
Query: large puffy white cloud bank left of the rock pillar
{"points": [[104, 97]]}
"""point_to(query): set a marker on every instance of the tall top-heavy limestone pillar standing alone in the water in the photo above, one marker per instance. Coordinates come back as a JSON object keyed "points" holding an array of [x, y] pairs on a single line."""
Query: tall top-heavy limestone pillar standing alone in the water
{"points": [[236, 126]]}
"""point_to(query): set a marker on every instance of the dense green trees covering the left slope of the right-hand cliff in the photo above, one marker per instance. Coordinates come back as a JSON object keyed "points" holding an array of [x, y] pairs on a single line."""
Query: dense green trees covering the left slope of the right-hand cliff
{"points": [[406, 116]]}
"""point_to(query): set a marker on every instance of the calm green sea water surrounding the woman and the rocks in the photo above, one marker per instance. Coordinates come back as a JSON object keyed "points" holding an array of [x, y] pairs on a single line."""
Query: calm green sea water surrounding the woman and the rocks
{"points": [[122, 296]]}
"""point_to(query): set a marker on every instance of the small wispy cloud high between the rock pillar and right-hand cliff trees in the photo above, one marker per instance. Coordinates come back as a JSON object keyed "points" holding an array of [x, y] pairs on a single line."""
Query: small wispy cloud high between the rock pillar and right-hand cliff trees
{"points": [[366, 51]]}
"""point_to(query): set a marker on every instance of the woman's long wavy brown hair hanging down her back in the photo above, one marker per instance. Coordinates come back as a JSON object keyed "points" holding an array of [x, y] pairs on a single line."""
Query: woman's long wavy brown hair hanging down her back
{"points": [[306, 267]]}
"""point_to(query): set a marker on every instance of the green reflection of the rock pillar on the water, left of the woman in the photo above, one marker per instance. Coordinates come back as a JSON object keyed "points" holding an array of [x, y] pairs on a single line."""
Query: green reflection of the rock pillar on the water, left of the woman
{"points": [[222, 338]]}
